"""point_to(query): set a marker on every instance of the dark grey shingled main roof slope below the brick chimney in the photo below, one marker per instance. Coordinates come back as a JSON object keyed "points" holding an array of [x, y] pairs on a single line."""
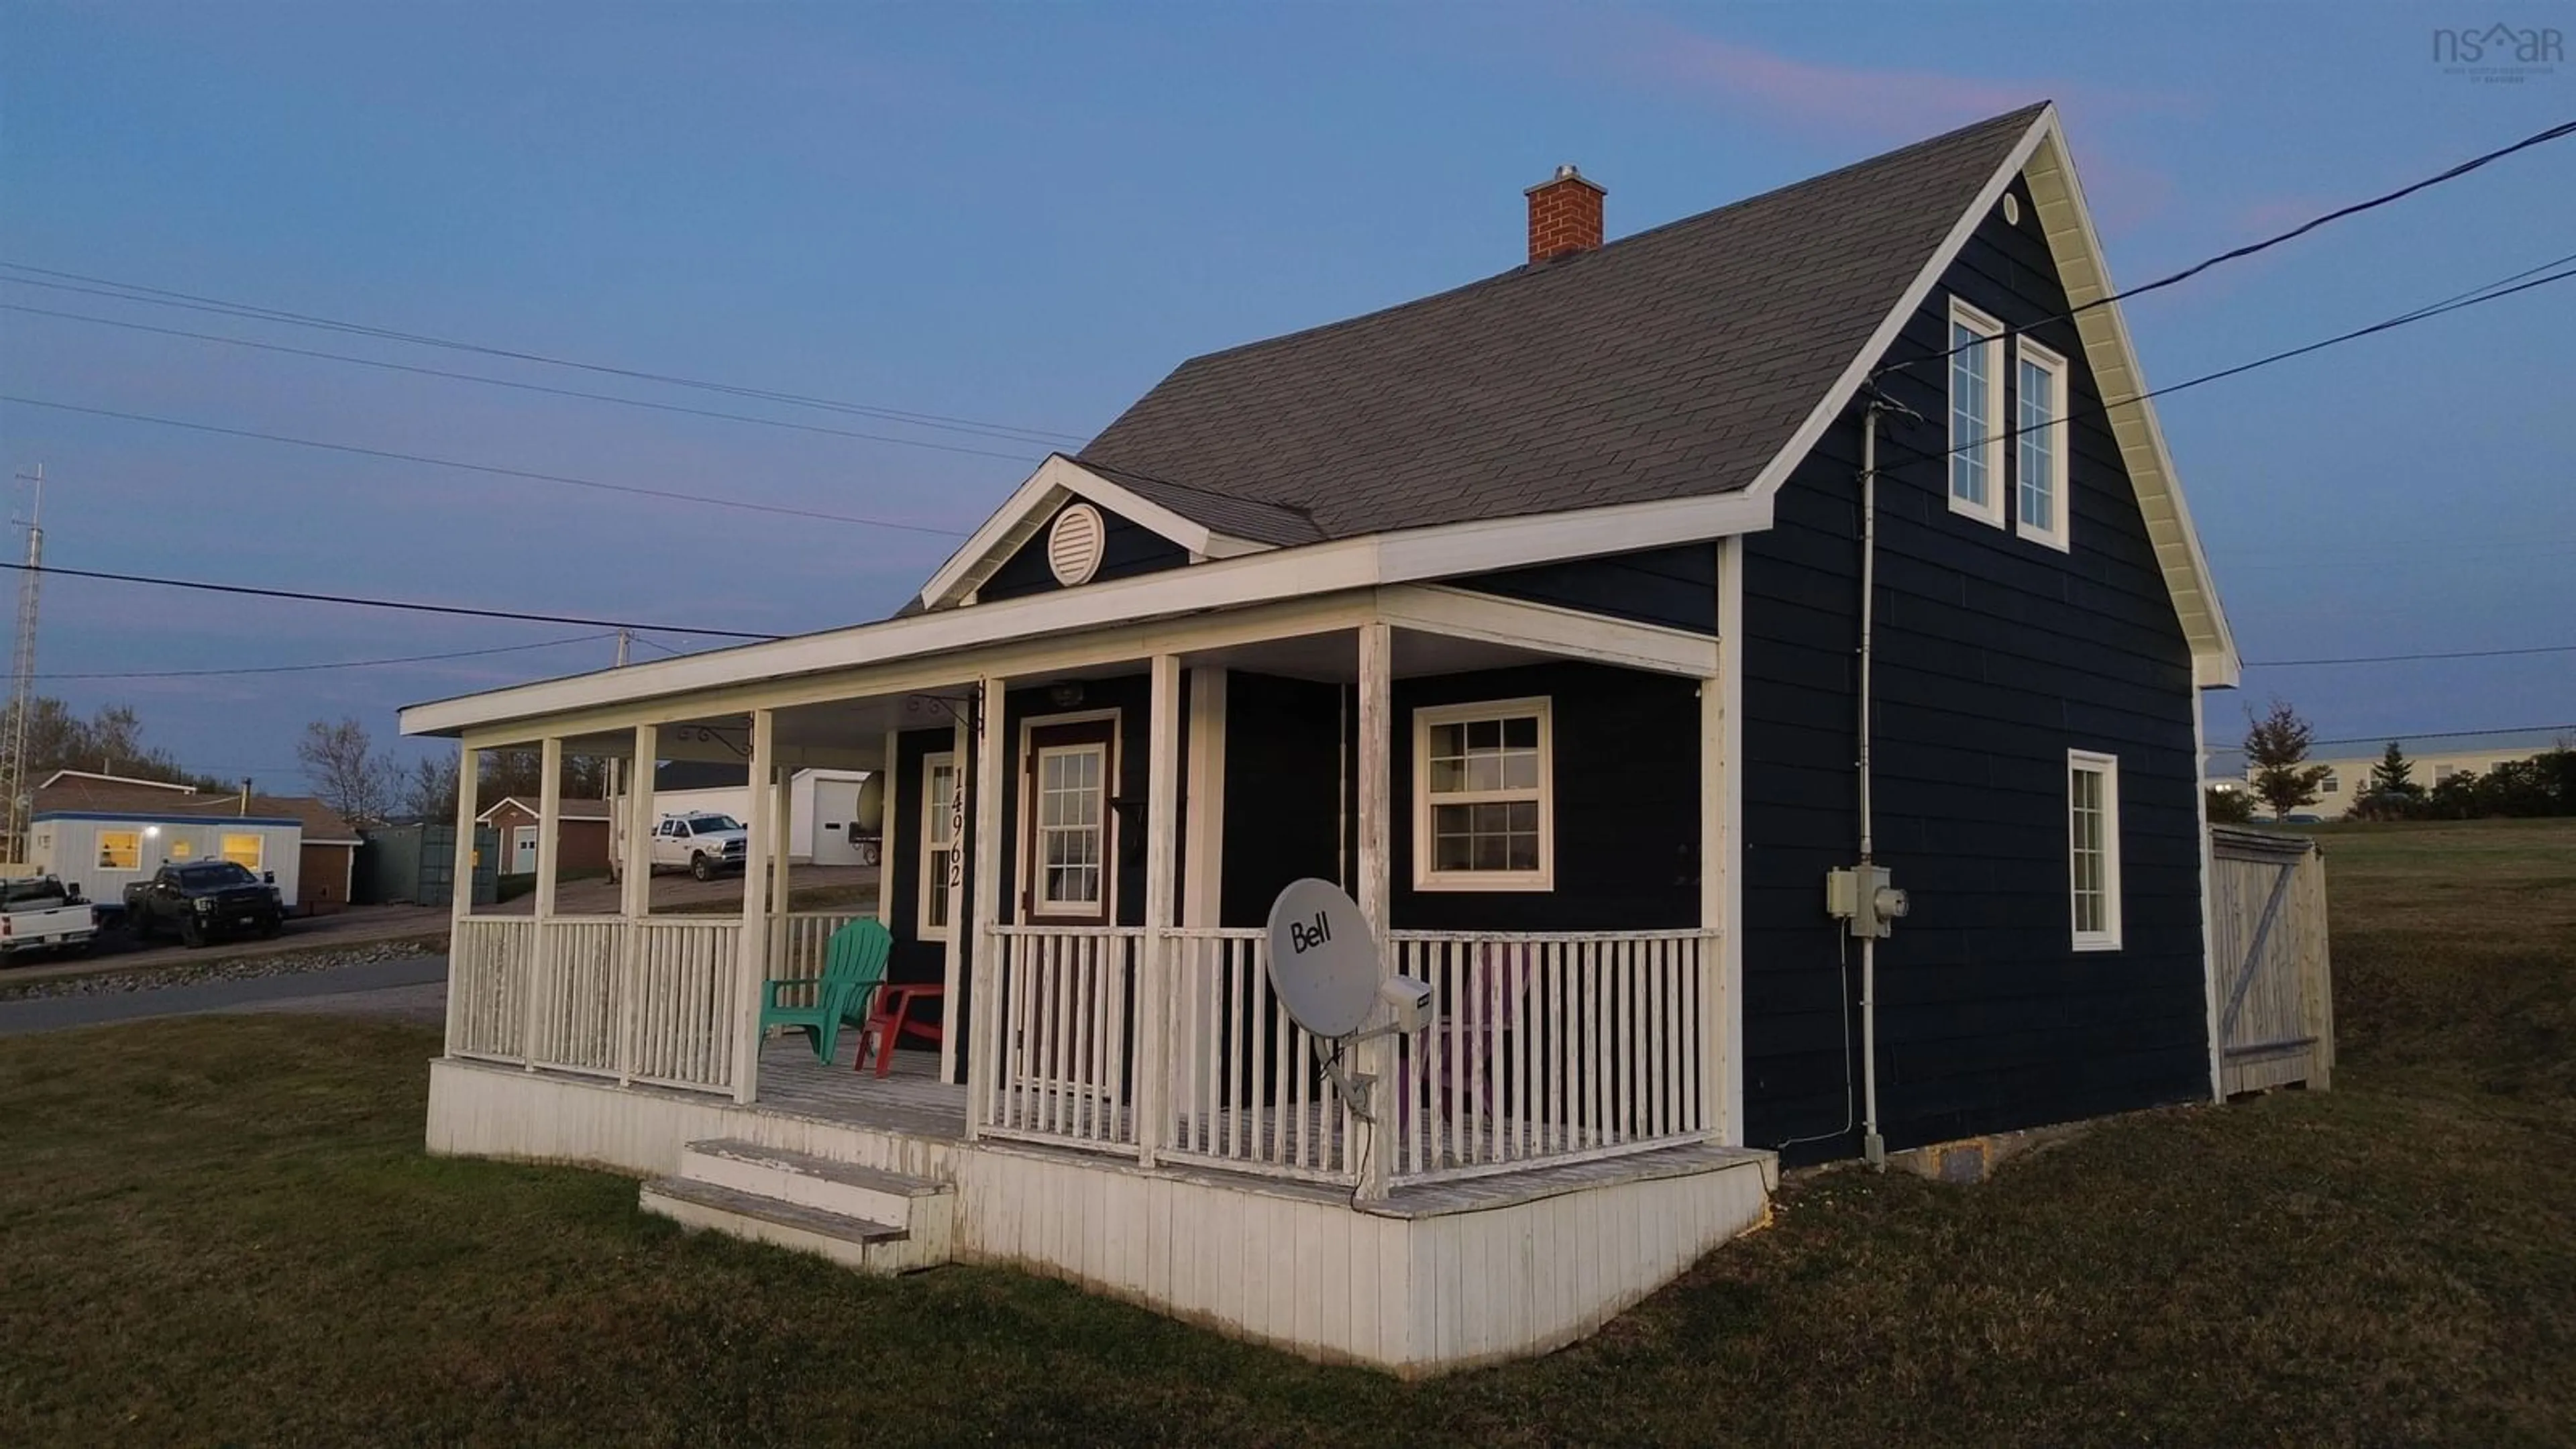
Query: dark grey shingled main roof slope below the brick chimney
{"points": [[1668, 365]]}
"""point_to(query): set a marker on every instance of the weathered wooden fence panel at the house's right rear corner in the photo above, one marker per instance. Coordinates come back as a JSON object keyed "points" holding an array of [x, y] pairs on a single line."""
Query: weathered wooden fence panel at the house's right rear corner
{"points": [[2268, 953]]}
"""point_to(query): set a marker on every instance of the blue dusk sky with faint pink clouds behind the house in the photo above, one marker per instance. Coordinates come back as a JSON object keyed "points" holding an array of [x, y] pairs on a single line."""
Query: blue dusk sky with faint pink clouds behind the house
{"points": [[1027, 215]]}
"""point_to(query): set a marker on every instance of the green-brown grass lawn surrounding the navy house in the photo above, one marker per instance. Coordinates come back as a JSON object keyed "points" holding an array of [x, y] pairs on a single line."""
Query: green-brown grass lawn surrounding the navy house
{"points": [[225, 1231]]}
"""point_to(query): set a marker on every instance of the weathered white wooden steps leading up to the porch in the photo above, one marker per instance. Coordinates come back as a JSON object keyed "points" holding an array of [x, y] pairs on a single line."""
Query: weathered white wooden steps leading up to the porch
{"points": [[864, 1218]]}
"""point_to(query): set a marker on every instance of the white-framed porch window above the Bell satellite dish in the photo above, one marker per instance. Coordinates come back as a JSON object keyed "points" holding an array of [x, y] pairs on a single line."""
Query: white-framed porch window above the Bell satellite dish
{"points": [[1485, 798]]}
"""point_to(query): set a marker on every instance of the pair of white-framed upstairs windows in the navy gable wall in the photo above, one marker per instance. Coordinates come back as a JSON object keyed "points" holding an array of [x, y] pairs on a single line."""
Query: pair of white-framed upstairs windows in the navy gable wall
{"points": [[1982, 440]]}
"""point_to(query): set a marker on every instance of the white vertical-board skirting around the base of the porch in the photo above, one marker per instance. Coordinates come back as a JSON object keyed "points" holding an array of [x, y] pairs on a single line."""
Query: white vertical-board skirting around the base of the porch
{"points": [[1434, 1280]]}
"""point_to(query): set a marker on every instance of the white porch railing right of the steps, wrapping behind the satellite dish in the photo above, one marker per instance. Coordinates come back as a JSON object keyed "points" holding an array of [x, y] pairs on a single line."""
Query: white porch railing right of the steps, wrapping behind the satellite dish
{"points": [[1547, 1048]]}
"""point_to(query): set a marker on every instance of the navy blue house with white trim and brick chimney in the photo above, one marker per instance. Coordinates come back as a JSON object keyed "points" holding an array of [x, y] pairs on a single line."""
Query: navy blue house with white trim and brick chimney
{"points": [[1586, 623]]}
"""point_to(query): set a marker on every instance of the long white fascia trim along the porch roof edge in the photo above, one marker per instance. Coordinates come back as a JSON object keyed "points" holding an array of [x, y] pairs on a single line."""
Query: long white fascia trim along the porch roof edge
{"points": [[1243, 599]]}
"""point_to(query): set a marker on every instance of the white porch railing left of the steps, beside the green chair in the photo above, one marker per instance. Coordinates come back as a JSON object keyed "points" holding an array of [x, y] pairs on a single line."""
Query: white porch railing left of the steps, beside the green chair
{"points": [[648, 1002]]}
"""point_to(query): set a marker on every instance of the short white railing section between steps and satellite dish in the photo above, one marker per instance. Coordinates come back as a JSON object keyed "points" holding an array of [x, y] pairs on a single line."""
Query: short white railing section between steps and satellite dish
{"points": [[1055, 1017]]}
